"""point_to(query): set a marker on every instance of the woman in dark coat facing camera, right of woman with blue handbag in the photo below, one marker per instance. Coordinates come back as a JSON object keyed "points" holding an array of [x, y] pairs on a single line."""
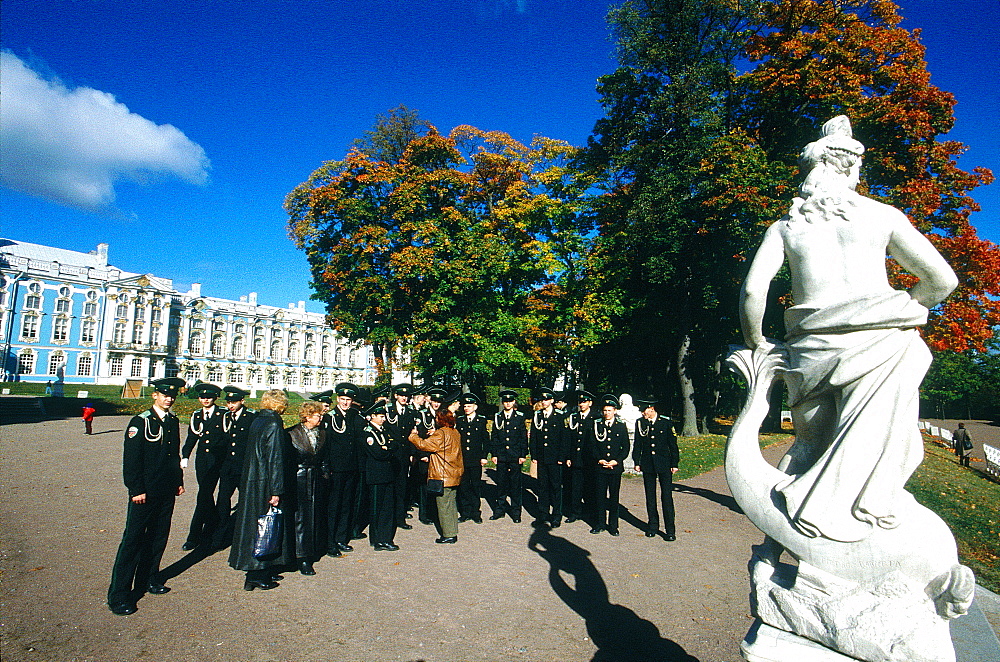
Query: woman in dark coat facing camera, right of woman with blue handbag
{"points": [[307, 470]]}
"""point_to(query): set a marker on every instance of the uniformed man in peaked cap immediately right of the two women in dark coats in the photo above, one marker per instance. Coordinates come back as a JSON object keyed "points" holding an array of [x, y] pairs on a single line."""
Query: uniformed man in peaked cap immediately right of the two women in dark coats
{"points": [[346, 424]]}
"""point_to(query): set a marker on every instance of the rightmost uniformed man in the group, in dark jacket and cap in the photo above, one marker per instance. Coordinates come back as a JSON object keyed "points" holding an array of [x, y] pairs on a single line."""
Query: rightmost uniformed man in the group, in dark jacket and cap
{"points": [[657, 456]]}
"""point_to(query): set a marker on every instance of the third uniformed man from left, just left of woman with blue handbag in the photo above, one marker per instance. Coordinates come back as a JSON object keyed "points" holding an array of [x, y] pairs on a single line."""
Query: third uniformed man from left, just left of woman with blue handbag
{"points": [[235, 425]]}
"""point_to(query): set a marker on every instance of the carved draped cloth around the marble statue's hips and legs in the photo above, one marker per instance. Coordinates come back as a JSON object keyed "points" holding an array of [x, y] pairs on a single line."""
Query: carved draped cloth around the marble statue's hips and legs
{"points": [[864, 359]]}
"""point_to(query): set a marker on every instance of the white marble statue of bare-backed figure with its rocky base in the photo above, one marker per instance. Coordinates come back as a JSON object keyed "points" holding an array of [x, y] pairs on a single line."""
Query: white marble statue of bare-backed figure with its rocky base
{"points": [[876, 575]]}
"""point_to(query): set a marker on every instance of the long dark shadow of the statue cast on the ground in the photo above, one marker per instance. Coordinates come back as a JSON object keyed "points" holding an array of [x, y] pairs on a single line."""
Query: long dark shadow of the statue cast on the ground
{"points": [[617, 631]]}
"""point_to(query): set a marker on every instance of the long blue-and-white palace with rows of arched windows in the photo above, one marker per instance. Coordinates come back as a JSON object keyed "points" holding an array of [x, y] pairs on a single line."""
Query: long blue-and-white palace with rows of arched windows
{"points": [[73, 318]]}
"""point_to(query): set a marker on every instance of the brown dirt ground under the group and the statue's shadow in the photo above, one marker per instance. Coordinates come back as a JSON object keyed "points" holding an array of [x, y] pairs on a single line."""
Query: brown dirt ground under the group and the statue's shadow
{"points": [[504, 592]]}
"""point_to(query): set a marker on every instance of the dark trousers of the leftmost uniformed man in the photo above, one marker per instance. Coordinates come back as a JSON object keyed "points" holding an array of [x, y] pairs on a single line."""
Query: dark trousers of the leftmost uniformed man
{"points": [[147, 527]]}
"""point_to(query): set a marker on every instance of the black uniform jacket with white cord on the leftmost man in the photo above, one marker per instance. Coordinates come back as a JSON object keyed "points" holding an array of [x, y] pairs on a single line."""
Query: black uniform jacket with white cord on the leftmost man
{"points": [[151, 462]]}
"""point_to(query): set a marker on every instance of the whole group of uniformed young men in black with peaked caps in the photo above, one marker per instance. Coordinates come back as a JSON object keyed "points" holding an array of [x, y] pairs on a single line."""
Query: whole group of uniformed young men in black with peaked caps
{"points": [[578, 456]]}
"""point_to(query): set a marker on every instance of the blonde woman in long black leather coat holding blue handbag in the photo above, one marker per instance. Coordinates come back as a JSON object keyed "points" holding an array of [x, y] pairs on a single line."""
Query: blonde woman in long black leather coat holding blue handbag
{"points": [[262, 485]]}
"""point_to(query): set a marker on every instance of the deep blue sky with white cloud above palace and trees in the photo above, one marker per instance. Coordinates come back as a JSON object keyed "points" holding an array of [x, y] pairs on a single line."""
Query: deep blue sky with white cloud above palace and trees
{"points": [[173, 130]]}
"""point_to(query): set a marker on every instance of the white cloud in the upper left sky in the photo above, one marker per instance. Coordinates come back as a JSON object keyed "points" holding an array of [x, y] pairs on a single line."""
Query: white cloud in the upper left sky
{"points": [[70, 146]]}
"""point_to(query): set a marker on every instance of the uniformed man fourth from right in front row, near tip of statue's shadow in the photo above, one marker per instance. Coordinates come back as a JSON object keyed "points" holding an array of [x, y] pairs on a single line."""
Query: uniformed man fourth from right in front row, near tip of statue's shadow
{"points": [[549, 449]]}
